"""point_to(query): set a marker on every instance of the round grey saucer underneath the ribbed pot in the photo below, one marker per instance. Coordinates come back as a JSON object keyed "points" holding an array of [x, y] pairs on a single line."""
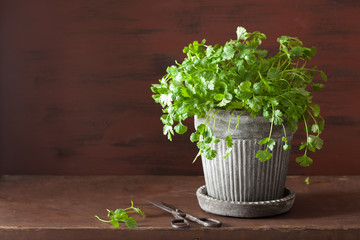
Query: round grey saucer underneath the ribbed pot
{"points": [[245, 209]]}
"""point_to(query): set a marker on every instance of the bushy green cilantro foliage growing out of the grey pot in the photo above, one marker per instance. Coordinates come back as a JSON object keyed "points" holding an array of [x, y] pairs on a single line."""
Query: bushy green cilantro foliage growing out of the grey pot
{"points": [[241, 76]]}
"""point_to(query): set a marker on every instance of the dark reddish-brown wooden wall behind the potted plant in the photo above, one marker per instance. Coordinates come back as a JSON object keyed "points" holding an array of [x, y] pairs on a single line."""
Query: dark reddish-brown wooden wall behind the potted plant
{"points": [[76, 76]]}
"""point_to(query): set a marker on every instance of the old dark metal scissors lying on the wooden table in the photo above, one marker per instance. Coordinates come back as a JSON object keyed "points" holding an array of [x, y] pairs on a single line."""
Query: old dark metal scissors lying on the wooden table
{"points": [[181, 218]]}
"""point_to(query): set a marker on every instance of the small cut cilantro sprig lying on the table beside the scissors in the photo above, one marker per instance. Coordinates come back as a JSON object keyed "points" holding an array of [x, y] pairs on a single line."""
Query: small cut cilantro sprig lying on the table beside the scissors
{"points": [[122, 215]]}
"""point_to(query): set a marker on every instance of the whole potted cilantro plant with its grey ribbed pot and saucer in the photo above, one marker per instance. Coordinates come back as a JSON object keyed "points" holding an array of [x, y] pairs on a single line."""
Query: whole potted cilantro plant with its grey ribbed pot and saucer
{"points": [[246, 105]]}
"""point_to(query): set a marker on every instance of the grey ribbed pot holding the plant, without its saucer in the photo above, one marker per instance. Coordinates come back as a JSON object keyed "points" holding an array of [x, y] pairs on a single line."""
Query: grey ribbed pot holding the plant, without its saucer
{"points": [[241, 177]]}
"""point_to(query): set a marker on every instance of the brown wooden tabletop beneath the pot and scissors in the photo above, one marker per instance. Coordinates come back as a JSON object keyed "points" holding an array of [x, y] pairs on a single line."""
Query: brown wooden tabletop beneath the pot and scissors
{"points": [[63, 207]]}
